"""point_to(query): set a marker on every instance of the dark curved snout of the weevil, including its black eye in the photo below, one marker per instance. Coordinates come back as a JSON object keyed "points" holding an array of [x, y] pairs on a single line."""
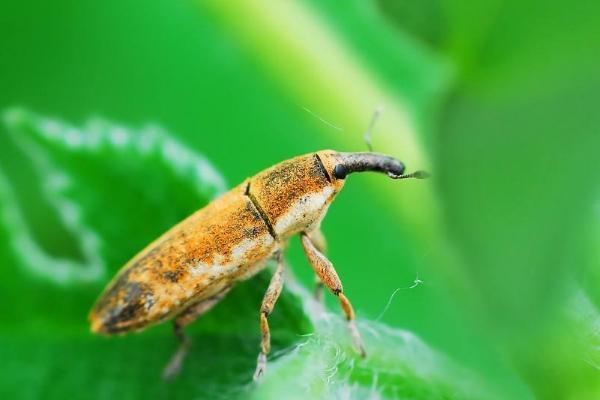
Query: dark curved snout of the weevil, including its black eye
{"points": [[360, 162]]}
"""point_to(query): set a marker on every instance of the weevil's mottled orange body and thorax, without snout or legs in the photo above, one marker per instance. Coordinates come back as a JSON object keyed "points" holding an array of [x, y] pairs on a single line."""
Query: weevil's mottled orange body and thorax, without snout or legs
{"points": [[227, 241]]}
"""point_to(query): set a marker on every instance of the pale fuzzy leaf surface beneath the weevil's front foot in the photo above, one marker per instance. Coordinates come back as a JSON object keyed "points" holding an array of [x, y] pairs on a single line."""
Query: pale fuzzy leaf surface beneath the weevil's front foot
{"points": [[399, 365]]}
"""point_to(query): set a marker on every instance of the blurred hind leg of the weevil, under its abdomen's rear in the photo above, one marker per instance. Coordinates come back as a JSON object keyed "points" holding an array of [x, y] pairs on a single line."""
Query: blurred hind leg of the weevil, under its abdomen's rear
{"points": [[186, 317]]}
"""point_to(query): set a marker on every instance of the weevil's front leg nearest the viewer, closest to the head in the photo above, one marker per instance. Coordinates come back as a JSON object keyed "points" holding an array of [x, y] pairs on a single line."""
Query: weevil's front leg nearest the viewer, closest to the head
{"points": [[324, 269]]}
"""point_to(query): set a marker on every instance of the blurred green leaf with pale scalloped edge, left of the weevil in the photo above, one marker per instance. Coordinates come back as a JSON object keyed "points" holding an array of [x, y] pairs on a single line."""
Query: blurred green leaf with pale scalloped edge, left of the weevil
{"points": [[96, 180]]}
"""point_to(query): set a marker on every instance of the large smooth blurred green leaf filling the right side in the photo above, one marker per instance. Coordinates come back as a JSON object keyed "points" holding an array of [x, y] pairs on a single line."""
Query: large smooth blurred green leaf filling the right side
{"points": [[519, 174]]}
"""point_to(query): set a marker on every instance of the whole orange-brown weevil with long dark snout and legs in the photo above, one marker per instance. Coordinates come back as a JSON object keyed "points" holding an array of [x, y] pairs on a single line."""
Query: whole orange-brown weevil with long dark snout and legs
{"points": [[191, 267]]}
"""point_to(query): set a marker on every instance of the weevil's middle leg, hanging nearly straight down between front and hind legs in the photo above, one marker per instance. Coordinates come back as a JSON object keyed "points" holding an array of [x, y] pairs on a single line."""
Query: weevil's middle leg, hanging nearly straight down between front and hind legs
{"points": [[271, 296]]}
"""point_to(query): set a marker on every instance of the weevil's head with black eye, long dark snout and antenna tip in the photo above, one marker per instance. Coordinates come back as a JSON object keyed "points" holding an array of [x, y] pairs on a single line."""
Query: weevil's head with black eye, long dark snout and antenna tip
{"points": [[340, 165]]}
